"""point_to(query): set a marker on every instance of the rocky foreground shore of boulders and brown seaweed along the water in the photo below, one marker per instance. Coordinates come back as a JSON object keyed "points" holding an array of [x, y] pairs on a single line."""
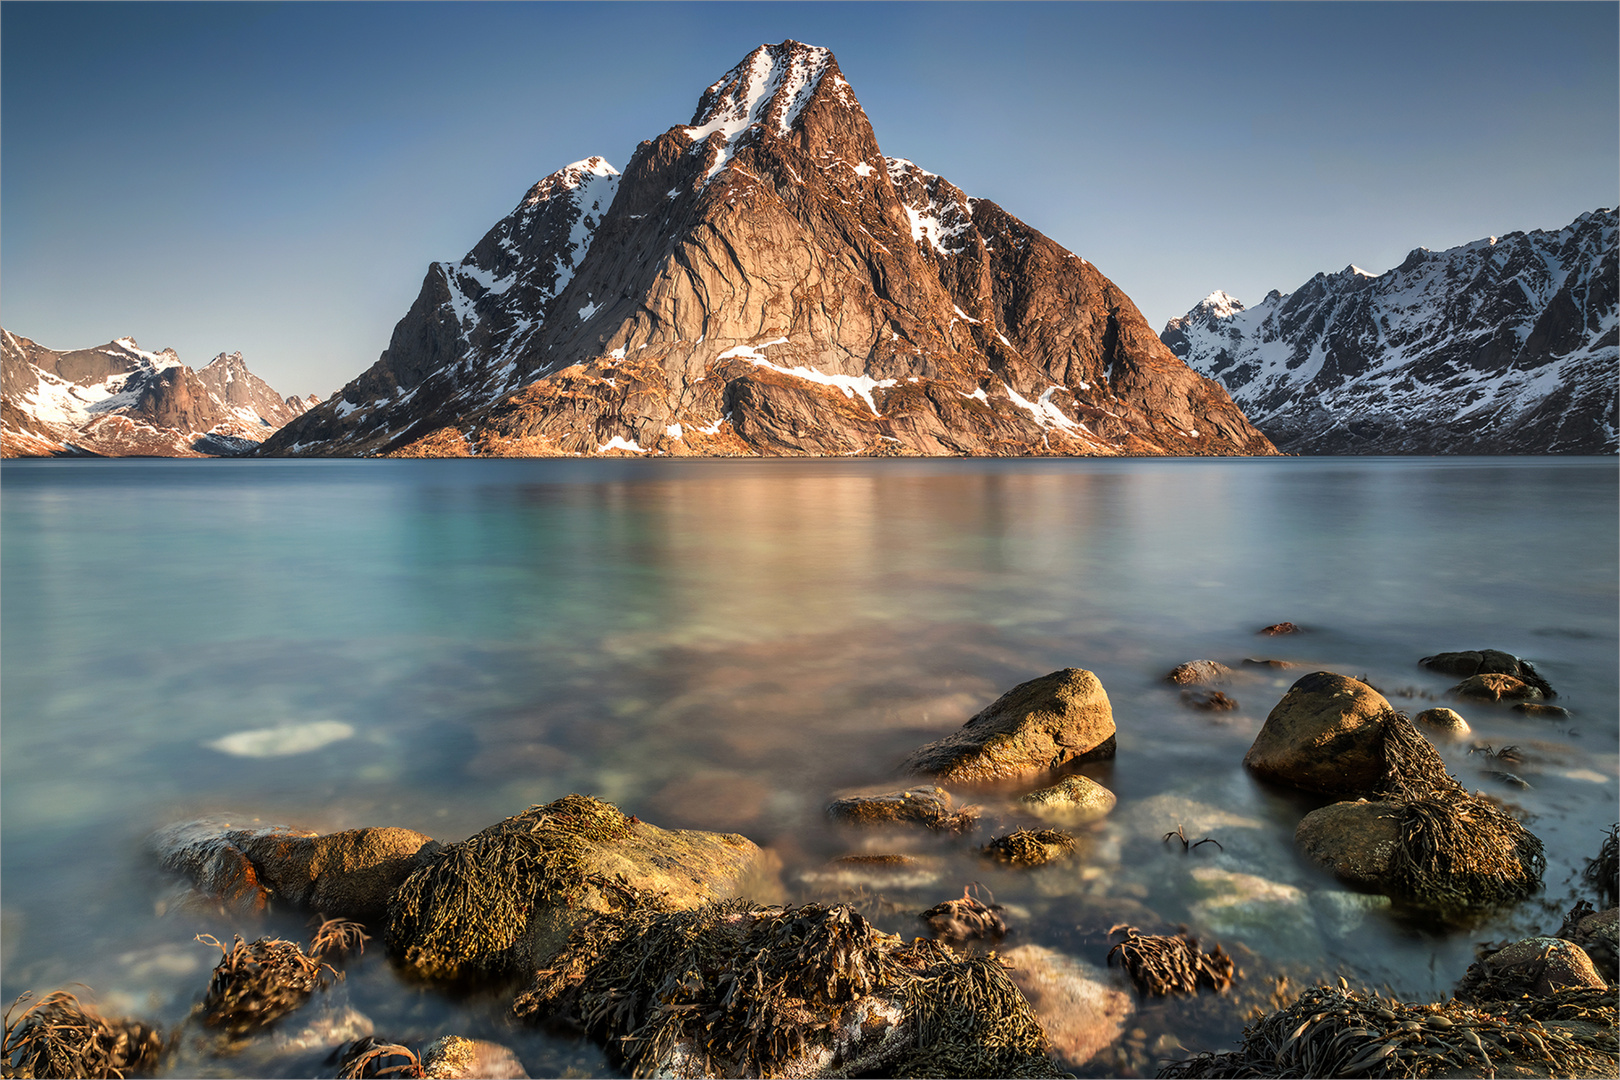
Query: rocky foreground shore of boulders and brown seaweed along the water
{"points": [[680, 955]]}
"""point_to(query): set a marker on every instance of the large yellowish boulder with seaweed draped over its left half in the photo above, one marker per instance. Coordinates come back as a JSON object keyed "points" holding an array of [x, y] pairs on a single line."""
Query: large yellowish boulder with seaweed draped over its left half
{"points": [[505, 899]]}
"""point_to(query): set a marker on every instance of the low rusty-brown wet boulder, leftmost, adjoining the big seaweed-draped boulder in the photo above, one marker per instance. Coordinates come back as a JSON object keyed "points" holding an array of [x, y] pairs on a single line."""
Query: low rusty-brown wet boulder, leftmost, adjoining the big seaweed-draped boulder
{"points": [[349, 874]]}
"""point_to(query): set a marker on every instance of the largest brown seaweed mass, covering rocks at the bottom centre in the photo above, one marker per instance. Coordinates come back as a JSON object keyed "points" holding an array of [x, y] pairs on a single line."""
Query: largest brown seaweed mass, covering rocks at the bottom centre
{"points": [[731, 989]]}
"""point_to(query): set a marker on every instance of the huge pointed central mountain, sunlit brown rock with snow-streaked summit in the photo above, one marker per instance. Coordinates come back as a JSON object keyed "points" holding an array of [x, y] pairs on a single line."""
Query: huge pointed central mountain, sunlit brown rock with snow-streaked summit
{"points": [[765, 281]]}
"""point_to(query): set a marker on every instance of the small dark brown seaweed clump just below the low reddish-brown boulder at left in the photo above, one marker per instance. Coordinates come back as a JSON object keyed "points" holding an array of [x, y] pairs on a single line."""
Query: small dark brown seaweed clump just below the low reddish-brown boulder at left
{"points": [[257, 985]]}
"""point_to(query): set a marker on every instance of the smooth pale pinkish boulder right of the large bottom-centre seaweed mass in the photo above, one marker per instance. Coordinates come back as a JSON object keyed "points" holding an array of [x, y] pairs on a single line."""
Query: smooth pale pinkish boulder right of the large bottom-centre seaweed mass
{"points": [[1078, 1005]]}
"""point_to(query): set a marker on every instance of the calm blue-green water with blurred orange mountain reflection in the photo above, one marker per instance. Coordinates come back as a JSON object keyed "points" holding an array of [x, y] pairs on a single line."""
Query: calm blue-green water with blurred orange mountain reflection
{"points": [[723, 645]]}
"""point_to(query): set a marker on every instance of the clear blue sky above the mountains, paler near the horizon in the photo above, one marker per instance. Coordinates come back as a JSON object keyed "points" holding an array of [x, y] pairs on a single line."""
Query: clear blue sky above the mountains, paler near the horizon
{"points": [[275, 179]]}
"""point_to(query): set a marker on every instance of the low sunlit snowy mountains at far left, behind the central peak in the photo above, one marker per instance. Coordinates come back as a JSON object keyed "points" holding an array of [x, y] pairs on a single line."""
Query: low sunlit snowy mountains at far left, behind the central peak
{"points": [[119, 401]]}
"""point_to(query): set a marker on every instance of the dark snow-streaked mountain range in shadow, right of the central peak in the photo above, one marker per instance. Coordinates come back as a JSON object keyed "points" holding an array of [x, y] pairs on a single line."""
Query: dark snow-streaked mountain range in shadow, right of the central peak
{"points": [[1504, 346]]}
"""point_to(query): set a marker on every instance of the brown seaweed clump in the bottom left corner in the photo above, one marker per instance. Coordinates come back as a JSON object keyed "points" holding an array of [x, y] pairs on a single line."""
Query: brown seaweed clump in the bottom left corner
{"points": [[59, 1037]]}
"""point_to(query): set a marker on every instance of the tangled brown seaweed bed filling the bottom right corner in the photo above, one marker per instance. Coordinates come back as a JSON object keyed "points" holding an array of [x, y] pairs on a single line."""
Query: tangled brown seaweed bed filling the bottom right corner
{"points": [[1337, 1032]]}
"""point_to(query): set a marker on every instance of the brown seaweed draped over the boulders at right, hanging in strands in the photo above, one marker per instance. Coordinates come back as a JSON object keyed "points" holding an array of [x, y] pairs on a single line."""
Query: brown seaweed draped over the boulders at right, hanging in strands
{"points": [[1459, 851]]}
